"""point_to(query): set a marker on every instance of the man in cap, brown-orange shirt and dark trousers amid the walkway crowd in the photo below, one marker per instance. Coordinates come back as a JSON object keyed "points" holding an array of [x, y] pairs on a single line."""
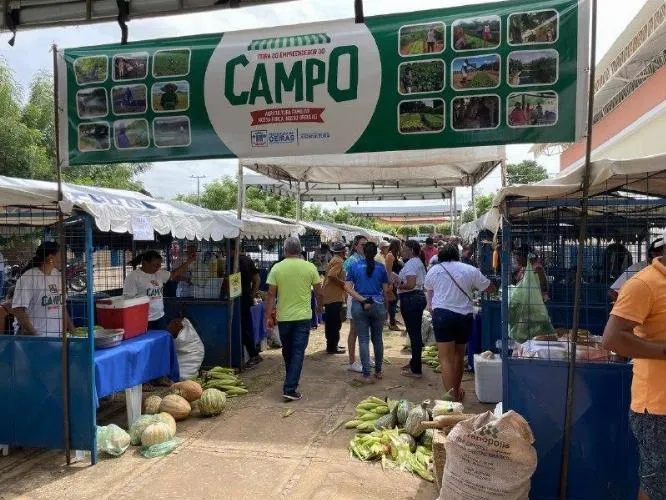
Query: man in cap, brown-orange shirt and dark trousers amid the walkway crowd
{"points": [[334, 297]]}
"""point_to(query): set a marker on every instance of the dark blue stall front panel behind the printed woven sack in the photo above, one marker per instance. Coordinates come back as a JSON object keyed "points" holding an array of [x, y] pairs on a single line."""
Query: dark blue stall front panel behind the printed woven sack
{"points": [[604, 458]]}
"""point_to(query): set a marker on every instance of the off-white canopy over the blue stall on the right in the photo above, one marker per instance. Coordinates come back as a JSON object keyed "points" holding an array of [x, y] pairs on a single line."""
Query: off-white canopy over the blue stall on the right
{"points": [[633, 178]]}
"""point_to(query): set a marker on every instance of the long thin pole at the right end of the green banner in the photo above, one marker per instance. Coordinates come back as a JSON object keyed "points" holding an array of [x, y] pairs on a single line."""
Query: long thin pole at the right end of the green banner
{"points": [[571, 377]]}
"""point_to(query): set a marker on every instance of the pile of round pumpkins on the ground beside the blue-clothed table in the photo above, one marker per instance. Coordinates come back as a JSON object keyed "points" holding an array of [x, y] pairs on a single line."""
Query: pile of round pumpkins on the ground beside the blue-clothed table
{"points": [[155, 431]]}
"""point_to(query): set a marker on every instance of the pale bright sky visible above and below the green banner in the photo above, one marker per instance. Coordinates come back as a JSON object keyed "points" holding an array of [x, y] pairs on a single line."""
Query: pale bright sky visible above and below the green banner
{"points": [[31, 54]]}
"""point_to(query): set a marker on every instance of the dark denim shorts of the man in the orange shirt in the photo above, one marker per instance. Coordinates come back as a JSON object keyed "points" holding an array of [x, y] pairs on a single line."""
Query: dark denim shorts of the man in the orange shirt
{"points": [[650, 432]]}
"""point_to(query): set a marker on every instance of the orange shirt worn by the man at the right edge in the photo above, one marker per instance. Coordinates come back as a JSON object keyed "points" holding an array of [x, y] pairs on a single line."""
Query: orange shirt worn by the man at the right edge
{"points": [[643, 299]]}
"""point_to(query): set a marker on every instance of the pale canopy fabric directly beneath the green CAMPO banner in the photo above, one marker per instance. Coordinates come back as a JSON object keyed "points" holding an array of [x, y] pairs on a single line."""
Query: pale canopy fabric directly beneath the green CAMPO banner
{"points": [[420, 168]]}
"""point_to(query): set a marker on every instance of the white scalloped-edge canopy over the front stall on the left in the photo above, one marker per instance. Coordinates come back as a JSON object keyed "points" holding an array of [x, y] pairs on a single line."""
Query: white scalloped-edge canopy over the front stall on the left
{"points": [[32, 202]]}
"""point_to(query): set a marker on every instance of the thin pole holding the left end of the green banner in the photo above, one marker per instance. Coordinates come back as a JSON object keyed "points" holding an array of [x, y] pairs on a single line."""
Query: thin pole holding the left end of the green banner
{"points": [[63, 266]]}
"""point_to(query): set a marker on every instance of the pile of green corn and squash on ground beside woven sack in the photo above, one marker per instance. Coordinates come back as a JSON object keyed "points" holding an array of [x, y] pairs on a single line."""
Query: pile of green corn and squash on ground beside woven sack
{"points": [[399, 433]]}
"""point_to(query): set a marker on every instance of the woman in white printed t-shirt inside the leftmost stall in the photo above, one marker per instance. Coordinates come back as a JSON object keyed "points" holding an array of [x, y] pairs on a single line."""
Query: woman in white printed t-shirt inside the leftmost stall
{"points": [[38, 298]]}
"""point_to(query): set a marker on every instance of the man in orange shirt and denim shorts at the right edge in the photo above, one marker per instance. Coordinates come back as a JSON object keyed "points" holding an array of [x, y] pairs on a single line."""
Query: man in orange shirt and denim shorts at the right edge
{"points": [[637, 329]]}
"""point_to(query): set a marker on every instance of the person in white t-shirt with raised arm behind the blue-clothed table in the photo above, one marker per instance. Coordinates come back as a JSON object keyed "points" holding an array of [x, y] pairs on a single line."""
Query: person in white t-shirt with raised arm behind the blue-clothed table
{"points": [[148, 280]]}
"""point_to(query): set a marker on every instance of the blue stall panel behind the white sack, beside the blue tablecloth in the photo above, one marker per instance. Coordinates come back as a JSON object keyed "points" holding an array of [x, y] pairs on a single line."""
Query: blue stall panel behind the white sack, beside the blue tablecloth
{"points": [[210, 319]]}
